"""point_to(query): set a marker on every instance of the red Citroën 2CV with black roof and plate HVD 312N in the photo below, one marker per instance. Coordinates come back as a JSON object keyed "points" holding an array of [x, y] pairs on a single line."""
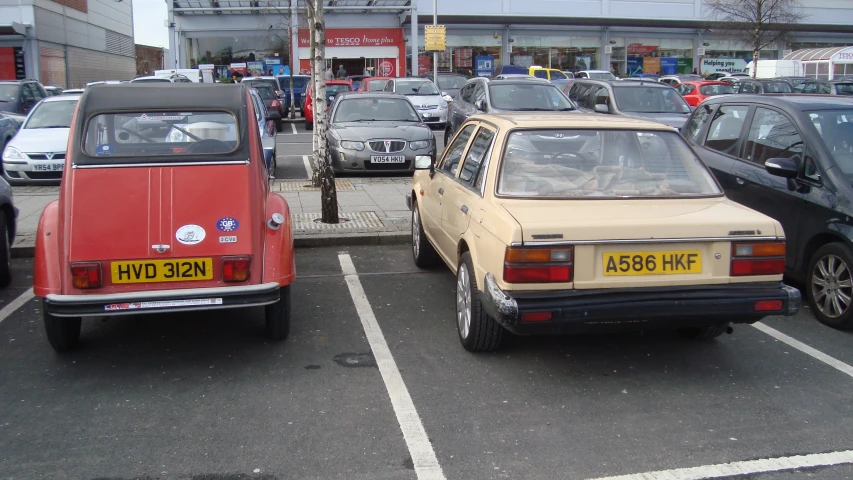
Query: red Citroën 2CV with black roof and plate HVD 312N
{"points": [[165, 206]]}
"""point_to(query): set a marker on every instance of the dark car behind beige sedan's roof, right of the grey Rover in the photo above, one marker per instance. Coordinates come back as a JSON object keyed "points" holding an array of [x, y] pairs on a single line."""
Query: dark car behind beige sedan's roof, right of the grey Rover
{"points": [[481, 95]]}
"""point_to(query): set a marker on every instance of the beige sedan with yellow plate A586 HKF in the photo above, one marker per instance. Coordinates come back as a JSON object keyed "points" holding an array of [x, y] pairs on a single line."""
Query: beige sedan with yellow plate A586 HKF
{"points": [[587, 223]]}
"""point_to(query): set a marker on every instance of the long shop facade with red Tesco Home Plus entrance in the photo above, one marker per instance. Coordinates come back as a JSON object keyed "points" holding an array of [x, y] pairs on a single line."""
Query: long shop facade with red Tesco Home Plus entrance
{"points": [[624, 36]]}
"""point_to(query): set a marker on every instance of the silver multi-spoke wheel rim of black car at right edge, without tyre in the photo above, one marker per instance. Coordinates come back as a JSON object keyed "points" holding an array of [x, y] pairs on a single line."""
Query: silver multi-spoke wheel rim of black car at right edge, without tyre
{"points": [[832, 286]]}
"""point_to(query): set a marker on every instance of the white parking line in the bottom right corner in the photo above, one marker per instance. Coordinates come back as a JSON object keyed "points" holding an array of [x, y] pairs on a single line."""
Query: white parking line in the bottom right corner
{"points": [[744, 468]]}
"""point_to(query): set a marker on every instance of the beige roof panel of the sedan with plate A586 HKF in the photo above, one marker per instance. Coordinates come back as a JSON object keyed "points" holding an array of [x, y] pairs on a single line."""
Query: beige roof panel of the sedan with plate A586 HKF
{"points": [[577, 120]]}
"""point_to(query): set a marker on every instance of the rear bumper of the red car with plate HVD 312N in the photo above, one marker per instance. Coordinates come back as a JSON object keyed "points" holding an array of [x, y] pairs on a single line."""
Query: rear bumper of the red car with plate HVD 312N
{"points": [[162, 301]]}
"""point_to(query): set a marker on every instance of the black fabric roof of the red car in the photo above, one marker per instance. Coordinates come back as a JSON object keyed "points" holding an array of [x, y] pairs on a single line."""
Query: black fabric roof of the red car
{"points": [[163, 96]]}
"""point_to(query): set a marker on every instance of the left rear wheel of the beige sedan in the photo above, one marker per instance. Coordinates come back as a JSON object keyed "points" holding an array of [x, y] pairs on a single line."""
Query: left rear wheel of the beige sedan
{"points": [[477, 331]]}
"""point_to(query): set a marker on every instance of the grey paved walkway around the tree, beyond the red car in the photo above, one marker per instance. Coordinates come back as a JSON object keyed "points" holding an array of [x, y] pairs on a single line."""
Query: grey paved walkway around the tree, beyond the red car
{"points": [[373, 208]]}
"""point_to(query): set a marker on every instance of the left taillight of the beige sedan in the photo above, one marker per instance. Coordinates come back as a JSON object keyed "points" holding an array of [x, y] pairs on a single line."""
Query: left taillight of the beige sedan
{"points": [[538, 265]]}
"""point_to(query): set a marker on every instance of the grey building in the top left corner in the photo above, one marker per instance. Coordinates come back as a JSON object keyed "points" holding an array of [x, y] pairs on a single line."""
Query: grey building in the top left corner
{"points": [[66, 43]]}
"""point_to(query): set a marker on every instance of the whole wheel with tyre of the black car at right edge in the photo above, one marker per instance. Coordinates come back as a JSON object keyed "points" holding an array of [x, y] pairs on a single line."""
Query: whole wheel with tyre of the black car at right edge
{"points": [[830, 285]]}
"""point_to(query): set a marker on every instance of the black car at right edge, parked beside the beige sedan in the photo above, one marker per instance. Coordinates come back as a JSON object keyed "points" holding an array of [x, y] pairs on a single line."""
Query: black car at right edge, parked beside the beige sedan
{"points": [[790, 157]]}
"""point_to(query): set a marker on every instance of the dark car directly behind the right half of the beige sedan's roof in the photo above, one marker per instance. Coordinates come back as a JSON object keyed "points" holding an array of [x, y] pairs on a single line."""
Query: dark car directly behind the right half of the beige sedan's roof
{"points": [[642, 99]]}
